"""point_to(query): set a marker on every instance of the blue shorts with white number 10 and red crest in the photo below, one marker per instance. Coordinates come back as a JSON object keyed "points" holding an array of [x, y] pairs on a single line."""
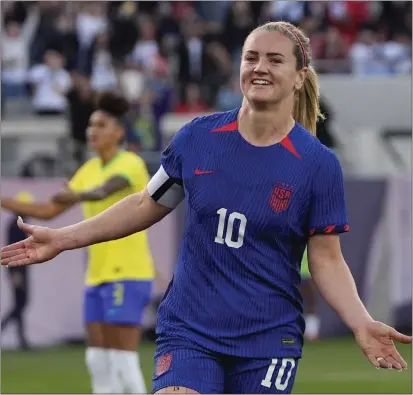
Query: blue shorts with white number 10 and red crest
{"points": [[181, 363]]}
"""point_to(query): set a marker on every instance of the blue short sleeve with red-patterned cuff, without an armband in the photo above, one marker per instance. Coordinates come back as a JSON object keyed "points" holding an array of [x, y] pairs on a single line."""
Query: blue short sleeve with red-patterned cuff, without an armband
{"points": [[327, 211]]}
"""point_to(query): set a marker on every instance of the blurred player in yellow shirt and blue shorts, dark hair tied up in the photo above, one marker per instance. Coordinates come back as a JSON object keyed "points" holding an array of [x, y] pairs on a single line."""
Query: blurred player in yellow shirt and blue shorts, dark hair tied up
{"points": [[120, 273]]}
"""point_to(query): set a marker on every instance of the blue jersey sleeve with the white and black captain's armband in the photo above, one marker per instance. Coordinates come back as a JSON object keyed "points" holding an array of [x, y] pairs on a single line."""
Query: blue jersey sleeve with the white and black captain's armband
{"points": [[166, 186]]}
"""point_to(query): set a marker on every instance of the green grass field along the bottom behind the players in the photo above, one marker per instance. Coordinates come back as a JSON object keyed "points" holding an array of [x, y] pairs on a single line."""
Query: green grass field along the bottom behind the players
{"points": [[330, 367]]}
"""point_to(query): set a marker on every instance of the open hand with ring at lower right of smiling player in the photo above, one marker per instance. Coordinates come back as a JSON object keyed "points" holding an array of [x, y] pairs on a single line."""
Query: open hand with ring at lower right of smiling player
{"points": [[376, 341]]}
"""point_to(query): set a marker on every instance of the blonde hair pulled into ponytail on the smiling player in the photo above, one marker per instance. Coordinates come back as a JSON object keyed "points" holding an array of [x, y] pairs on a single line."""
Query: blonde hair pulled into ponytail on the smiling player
{"points": [[306, 109]]}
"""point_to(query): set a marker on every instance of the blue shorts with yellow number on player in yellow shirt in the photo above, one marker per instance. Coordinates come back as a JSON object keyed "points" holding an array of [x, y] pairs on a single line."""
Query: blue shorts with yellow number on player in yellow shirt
{"points": [[121, 302]]}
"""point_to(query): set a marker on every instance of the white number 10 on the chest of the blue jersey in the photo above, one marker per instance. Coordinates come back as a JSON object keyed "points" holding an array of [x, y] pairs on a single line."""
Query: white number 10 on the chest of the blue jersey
{"points": [[231, 240]]}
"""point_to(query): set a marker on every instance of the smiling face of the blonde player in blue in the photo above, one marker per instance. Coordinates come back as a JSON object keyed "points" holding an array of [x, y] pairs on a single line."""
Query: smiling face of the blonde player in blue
{"points": [[269, 68]]}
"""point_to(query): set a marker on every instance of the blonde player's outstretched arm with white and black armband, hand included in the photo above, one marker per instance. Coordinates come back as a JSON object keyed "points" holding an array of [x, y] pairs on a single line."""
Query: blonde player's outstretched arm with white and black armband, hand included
{"points": [[135, 213]]}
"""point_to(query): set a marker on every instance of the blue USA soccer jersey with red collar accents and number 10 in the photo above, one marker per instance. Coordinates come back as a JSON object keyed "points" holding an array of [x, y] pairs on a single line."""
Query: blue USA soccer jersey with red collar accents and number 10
{"points": [[249, 213]]}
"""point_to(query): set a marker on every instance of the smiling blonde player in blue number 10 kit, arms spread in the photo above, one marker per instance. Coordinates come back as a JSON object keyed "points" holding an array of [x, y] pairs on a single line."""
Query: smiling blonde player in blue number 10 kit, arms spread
{"points": [[259, 187]]}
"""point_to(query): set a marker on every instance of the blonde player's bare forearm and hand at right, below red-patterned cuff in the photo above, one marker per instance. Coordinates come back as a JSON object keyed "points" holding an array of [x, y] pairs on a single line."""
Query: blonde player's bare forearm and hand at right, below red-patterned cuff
{"points": [[336, 284]]}
